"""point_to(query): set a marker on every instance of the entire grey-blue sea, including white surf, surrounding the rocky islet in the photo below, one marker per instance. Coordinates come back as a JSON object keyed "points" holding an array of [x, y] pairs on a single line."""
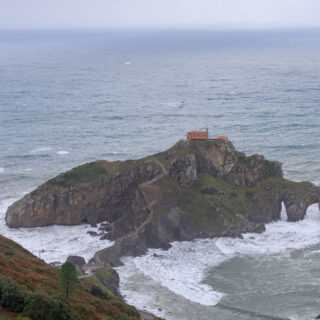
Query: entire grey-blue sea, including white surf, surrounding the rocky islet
{"points": [[68, 97]]}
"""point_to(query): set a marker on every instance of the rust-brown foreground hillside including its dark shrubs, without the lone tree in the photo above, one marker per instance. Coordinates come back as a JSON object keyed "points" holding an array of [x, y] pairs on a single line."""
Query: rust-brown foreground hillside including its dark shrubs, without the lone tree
{"points": [[25, 278]]}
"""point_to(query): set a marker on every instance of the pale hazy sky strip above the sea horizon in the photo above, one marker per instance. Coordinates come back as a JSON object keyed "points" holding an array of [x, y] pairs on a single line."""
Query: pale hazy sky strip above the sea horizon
{"points": [[159, 13]]}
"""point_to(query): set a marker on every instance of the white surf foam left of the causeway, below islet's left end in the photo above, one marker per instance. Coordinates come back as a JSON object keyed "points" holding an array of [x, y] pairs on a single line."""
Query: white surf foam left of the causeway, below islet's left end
{"points": [[54, 243]]}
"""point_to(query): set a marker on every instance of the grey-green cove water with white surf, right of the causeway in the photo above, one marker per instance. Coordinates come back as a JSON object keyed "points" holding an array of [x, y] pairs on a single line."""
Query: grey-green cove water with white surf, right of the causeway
{"points": [[270, 274]]}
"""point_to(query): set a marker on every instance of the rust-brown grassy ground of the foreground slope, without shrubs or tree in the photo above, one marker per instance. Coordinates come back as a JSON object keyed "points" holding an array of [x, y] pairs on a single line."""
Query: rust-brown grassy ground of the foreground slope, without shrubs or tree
{"points": [[34, 275]]}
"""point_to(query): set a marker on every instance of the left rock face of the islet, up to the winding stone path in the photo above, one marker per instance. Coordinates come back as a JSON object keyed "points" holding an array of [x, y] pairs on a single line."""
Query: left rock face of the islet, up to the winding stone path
{"points": [[87, 194]]}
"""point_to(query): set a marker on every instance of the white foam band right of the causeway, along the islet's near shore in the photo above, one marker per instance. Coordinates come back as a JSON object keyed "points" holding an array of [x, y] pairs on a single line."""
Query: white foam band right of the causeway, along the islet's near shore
{"points": [[183, 268]]}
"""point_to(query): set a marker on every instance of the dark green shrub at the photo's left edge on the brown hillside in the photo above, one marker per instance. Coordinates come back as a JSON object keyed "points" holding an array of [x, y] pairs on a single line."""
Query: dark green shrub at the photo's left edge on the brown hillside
{"points": [[11, 297]]}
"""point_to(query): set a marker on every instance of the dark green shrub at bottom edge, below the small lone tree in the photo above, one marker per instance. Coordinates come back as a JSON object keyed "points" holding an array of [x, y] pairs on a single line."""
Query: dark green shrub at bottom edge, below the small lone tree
{"points": [[41, 307]]}
